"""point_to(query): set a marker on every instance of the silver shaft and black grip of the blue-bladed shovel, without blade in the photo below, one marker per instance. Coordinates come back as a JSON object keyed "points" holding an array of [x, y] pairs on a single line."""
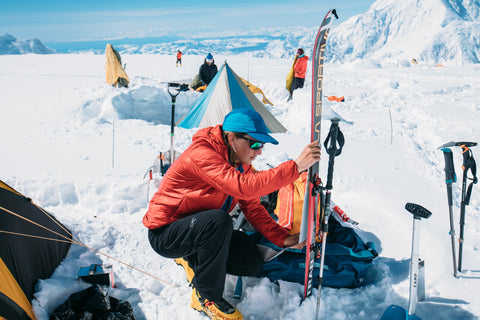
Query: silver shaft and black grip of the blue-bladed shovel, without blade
{"points": [[418, 212]]}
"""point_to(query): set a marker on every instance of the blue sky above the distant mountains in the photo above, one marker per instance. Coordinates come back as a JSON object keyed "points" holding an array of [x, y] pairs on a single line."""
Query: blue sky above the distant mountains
{"points": [[64, 20]]}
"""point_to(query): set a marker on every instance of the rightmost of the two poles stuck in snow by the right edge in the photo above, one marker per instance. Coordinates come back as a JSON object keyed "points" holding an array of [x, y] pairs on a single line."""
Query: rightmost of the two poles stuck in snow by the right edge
{"points": [[468, 164]]}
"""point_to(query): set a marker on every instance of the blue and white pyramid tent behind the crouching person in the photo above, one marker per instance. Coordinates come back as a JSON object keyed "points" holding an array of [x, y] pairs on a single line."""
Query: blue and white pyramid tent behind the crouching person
{"points": [[226, 92]]}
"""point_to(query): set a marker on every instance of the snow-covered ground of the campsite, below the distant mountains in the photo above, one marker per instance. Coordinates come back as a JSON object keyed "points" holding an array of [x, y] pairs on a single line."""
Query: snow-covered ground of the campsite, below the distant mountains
{"points": [[79, 148]]}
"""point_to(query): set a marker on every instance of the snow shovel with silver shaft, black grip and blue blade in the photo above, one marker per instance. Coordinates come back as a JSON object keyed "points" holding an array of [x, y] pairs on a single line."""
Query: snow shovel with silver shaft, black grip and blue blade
{"points": [[395, 312]]}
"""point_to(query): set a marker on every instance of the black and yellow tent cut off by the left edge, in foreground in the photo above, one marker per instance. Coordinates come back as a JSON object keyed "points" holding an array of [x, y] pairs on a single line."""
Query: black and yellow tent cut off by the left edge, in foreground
{"points": [[32, 245]]}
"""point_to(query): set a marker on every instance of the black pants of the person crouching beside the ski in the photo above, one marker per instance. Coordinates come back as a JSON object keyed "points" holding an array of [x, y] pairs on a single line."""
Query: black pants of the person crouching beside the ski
{"points": [[211, 247]]}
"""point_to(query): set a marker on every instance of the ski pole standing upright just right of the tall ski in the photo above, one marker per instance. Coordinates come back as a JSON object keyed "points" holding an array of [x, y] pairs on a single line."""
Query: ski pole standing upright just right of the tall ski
{"points": [[334, 136]]}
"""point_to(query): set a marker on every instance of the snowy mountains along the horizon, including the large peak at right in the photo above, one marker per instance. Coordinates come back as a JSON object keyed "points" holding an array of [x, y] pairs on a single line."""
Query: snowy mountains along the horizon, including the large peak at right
{"points": [[433, 31]]}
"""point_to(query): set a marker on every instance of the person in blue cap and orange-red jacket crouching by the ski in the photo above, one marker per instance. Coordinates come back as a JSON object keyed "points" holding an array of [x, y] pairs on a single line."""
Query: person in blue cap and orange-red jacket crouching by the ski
{"points": [[188, 216]]}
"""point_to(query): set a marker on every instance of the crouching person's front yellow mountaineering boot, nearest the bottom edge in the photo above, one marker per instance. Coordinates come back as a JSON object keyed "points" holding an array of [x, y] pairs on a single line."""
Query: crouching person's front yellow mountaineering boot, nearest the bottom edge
{"points": [[221, 310]]}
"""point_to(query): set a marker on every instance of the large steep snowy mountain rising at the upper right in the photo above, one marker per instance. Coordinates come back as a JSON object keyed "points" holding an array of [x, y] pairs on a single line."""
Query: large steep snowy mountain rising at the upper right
{"points": [[436, 31]]}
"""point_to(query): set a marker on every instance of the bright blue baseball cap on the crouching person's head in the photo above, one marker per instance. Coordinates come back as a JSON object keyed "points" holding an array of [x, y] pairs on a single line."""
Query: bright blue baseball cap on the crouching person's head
{"points": [[250, 122]]}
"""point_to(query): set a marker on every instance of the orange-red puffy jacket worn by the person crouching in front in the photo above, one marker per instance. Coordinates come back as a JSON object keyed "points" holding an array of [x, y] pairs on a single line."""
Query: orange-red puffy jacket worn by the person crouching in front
{"points": [[201, 179]]}
